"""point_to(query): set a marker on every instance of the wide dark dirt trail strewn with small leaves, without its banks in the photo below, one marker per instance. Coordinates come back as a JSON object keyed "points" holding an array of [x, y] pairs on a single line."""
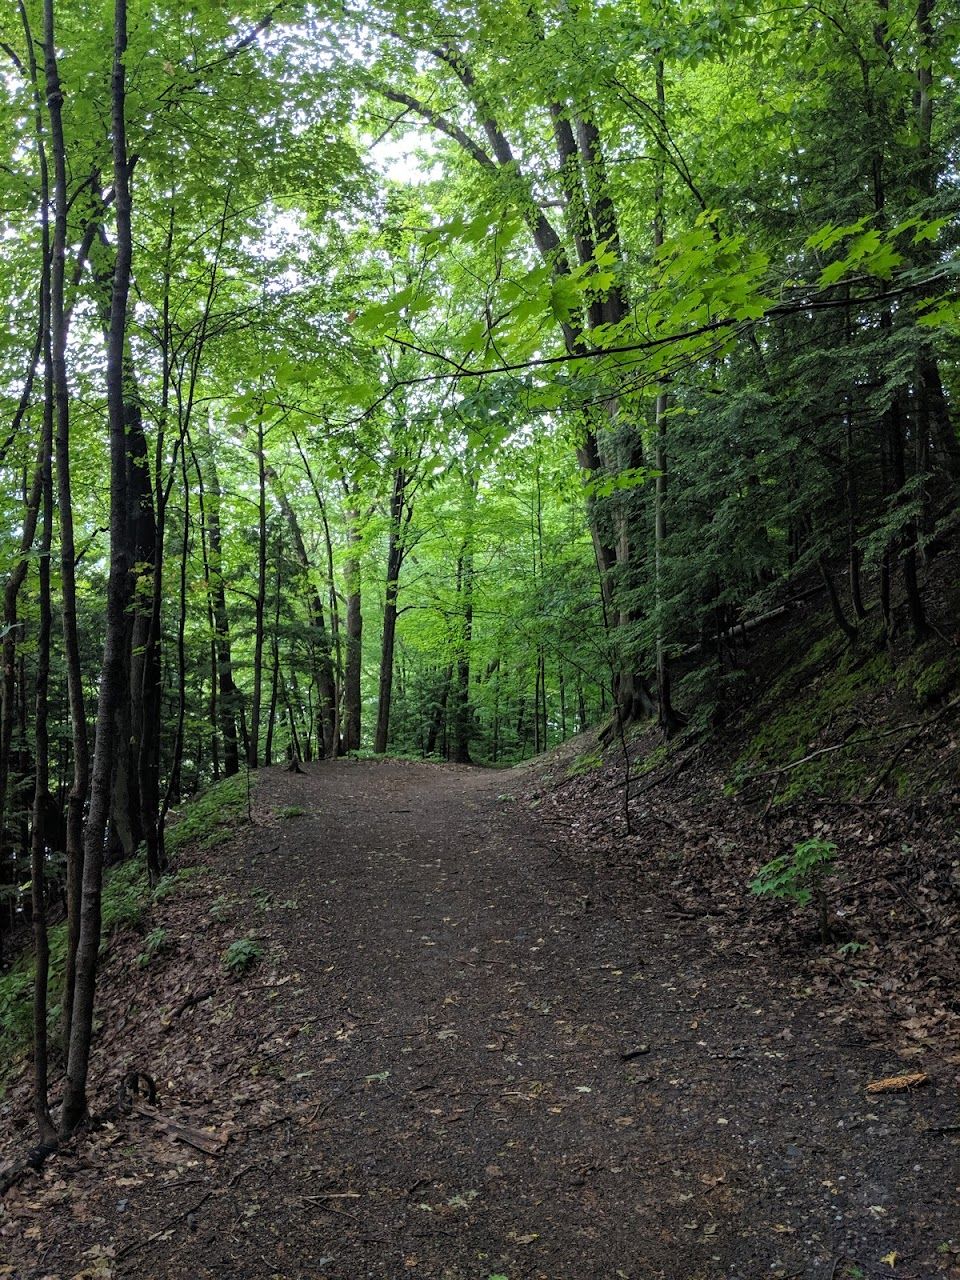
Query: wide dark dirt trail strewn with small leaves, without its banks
{"points": [[491, 1072]]}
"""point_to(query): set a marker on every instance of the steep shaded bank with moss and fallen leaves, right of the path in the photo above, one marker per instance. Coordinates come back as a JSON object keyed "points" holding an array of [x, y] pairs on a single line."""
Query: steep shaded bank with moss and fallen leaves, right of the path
{"points": [[849, 746]]}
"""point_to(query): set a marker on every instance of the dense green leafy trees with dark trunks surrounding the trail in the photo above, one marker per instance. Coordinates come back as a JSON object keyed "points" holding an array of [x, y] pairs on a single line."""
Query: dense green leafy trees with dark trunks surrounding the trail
{"points": [[442, 381]]}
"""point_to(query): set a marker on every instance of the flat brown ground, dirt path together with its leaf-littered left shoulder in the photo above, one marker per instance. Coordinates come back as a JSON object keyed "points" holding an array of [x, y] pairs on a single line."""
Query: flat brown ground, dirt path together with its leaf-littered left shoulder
{"points": [[484, 1043]]}
